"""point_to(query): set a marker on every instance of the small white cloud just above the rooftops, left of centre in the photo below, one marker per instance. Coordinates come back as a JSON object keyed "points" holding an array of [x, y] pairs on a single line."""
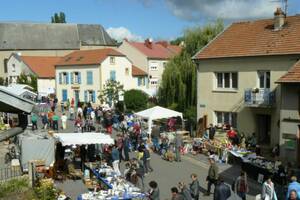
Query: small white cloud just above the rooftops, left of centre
{"points": [[121, 33]]}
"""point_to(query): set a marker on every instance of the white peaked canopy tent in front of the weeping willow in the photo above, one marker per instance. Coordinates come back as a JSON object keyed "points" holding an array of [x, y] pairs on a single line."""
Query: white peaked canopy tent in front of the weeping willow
{"points": [[157, 112]]}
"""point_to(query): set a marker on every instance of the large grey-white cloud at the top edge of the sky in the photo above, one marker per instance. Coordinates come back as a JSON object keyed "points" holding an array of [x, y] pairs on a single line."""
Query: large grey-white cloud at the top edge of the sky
{"points": [[195, 10]]}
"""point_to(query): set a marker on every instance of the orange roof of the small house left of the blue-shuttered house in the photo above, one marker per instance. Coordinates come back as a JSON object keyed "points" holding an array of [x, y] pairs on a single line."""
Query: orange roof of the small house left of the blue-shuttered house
{"points": [[42, 66]]}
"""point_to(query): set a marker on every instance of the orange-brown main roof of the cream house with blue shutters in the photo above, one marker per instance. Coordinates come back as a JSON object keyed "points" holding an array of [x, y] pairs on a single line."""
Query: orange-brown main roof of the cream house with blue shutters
{"points": [[87, 57]]}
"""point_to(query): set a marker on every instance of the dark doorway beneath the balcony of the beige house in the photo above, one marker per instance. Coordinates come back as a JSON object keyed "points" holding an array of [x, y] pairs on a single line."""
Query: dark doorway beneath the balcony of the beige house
{"points": [[263, 129]]}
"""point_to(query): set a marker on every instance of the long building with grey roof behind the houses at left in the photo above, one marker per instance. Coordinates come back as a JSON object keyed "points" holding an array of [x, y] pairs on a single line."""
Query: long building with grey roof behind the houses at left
{"points": [[37, 39]]}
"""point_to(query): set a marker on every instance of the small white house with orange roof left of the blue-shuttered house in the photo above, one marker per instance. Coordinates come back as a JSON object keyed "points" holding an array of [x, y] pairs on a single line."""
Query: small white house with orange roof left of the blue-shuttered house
{"points": [[40, 66]]}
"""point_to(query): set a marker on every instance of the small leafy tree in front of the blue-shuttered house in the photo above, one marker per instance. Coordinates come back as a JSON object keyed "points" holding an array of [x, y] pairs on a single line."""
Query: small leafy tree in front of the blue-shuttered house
{"points": [[110, 93]]}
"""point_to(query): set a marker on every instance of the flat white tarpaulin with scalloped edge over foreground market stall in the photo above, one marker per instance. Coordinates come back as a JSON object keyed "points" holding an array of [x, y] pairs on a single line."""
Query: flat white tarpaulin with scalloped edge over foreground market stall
{"points": [[83, 138]]}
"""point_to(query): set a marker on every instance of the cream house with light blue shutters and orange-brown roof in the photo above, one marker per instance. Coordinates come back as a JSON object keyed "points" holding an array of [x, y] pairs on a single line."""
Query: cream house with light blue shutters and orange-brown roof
{"points": [[82, 74]]}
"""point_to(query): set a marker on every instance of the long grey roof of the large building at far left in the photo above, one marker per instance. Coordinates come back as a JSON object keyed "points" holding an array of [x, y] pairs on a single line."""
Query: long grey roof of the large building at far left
{"points": [[31, 36]]}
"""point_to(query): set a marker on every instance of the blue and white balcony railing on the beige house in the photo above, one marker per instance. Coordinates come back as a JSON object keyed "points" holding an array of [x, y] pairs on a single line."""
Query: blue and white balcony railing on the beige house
{"points": [[259, 97]]}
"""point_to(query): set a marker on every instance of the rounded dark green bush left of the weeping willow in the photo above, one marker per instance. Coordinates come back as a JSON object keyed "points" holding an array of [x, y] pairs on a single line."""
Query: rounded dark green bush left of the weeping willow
{"points": [[135, 100]]}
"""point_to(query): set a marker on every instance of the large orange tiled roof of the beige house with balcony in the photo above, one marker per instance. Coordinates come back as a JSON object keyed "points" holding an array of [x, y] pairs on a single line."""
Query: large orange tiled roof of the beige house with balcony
{"points": [[255, 38]]}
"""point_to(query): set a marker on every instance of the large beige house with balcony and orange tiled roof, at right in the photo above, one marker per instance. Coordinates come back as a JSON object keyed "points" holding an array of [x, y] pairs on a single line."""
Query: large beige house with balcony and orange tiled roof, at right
{"points": [[236, 77]]}
